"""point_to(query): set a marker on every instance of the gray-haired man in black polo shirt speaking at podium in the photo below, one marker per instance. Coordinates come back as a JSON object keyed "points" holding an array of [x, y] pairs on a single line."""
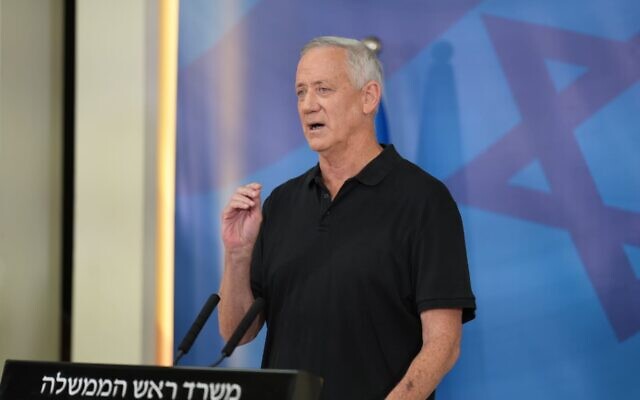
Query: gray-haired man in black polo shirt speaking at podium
{"points": [[361, 260]]}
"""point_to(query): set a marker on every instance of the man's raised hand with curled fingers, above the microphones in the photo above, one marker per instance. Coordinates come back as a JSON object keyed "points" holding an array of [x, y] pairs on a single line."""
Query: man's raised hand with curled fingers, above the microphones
{"points": [[241, 218]]}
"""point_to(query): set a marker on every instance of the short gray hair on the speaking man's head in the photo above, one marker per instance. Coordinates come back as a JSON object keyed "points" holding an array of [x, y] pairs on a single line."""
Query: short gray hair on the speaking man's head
{"points": [[363, 64]]}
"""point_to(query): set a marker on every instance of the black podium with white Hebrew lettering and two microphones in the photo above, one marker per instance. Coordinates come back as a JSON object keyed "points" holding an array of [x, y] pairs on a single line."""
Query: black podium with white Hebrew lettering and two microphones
{"points": [[27, 380]]}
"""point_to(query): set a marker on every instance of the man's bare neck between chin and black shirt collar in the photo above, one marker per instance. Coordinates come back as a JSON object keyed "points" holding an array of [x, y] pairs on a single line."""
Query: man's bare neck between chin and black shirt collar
{"points": [[347, 162]]}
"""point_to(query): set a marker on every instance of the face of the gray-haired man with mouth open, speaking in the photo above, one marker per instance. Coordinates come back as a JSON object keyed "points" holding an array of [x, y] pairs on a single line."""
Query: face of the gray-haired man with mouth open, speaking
{"points": [[330, 107]]}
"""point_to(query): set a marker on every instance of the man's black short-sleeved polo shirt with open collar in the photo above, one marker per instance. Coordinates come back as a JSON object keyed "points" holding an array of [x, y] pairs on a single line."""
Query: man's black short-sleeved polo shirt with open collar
{"points": [[345, 280]]}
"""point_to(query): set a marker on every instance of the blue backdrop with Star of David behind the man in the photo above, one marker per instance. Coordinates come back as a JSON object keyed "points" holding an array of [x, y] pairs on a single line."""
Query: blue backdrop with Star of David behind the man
{"points": [[529, 111]]}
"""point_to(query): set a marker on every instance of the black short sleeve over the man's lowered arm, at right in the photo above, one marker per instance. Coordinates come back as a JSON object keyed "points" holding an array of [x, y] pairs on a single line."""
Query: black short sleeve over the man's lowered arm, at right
{"points": [[439, 258]]}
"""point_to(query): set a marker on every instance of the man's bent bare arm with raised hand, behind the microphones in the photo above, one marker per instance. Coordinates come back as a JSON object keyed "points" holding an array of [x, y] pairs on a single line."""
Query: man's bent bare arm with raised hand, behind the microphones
{"points": [[241, 221]]}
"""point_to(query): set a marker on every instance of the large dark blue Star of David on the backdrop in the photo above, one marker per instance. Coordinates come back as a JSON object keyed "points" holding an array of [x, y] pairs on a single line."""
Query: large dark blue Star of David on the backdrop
{"points": [[546, 134]]}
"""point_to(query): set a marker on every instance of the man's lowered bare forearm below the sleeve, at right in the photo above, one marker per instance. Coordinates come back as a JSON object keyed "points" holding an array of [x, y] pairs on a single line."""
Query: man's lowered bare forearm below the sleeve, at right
{"points": [[441, 333]]}
